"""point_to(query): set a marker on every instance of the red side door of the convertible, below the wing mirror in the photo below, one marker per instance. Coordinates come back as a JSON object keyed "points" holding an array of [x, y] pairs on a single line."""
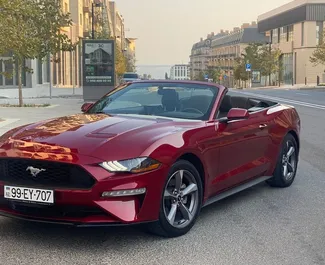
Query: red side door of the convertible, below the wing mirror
{"points": [[243, 150]]}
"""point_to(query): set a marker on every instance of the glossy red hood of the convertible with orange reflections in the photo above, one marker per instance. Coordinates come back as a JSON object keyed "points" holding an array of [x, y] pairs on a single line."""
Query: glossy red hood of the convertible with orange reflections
{"points": [[97, 135]]}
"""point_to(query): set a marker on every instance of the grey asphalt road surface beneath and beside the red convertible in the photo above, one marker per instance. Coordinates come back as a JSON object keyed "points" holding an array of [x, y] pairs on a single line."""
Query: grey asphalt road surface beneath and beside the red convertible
{"points": [[262, 225]]}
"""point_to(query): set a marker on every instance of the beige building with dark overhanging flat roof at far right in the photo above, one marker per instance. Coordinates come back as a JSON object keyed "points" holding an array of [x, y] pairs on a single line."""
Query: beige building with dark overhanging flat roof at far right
{"points": [[296, 29]]}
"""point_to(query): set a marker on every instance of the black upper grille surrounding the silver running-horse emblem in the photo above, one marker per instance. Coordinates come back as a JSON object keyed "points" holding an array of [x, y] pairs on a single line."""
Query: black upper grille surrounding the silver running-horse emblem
{"points": [[56, 174]]}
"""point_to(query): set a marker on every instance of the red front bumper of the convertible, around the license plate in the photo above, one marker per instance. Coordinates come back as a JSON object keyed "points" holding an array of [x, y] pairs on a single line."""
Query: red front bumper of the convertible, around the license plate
{"points": [[88, 208]]}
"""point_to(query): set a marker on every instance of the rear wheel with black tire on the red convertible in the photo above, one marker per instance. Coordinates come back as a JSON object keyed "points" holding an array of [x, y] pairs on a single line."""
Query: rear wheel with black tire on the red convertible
{"points": [[286, 167]]}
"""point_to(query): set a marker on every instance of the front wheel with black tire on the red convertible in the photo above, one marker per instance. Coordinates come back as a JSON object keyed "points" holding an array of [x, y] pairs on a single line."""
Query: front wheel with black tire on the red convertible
{"points": [[181, 201]]}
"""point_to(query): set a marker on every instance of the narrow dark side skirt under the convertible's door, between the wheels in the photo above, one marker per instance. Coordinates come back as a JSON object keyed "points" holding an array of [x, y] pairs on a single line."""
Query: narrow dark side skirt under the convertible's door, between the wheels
{"points": [[235, 190]]}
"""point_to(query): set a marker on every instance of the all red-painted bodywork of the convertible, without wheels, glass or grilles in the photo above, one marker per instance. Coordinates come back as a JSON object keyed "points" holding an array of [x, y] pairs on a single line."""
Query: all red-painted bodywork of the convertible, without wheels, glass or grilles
{"points": [[231, 153]]}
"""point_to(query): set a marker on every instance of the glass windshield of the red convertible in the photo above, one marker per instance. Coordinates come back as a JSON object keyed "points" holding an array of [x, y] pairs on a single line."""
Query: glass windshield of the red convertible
{"points": [[173, 100]]}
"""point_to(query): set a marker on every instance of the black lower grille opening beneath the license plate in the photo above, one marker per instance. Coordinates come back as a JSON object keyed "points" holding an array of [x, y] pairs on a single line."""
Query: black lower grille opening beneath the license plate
{"points": [[54, 211]]}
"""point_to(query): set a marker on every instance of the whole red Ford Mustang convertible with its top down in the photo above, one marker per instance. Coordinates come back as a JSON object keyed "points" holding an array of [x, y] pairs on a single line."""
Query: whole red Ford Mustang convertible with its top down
{"points": [[148, 152]]}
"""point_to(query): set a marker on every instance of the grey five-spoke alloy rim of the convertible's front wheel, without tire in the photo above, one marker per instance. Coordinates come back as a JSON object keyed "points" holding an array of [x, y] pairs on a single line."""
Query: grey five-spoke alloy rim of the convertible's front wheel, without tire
{"points": [[180, 201]]}
